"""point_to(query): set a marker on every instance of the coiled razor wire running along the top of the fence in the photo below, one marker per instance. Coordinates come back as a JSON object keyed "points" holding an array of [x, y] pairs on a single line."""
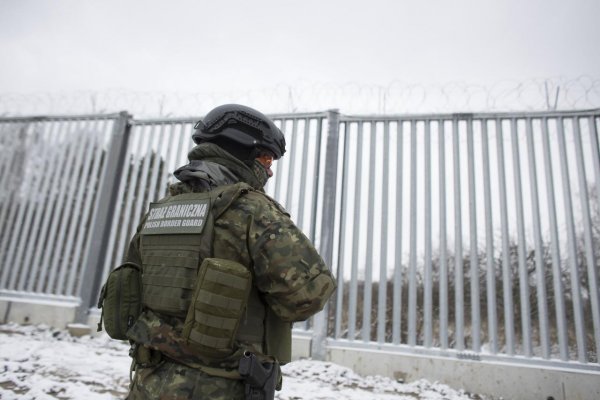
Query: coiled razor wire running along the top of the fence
{"points": [[397, 97]]}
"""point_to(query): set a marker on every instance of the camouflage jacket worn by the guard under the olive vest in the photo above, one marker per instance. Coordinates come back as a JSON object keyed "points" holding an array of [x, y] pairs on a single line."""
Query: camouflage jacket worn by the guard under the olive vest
{"points": [[290, 279]]}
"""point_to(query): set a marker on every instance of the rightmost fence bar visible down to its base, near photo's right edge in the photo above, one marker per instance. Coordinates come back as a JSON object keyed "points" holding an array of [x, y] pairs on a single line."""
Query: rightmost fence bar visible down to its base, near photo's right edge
{"points": [[587, 232]]}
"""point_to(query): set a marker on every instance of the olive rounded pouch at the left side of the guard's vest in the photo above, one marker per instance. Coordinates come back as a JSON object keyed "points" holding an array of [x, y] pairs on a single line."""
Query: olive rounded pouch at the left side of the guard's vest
{"points": [[121, 300]]}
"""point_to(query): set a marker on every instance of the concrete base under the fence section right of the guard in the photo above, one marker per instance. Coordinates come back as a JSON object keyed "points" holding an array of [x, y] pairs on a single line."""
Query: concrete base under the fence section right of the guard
{"points": [[507, 381]]}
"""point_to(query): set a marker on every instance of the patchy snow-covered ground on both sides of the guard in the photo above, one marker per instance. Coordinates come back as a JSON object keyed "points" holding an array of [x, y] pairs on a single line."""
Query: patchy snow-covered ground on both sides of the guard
{"points": [[37, 362]]}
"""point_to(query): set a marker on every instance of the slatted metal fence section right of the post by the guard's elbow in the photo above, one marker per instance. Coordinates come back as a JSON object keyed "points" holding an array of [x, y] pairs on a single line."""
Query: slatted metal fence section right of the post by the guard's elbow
{"points": [[474, 235]]}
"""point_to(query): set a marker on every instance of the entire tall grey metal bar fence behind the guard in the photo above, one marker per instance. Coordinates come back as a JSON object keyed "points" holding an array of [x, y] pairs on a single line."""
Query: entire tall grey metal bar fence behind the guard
{"points": [[463, 235]]}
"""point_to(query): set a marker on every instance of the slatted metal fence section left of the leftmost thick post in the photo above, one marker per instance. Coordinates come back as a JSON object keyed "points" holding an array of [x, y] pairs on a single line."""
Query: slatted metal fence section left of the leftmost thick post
{"points": [[51, 172]]}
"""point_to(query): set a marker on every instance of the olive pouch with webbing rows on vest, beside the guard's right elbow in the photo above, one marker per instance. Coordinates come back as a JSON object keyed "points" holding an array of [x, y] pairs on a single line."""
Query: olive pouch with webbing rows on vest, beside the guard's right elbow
{"points": [[218, 303]]}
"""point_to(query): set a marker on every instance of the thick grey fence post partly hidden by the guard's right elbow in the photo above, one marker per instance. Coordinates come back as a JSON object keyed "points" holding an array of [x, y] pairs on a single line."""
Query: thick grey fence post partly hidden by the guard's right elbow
{"points": [[320, 320]]}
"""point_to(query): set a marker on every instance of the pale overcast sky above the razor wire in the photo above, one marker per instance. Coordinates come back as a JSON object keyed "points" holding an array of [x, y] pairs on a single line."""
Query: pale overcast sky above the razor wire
{"points": [[208, 46]]}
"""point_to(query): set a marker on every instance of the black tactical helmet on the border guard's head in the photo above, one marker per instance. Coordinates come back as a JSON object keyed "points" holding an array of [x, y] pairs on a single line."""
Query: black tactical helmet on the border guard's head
{"points": [[240, 125]]}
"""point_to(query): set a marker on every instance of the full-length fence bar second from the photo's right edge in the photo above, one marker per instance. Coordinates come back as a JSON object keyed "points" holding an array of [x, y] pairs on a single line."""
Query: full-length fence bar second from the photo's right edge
{"points": [[571, 245]]}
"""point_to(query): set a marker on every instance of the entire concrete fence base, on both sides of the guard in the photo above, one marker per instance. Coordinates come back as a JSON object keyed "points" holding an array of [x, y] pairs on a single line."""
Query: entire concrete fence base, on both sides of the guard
{"points": [[497, 379]]}
